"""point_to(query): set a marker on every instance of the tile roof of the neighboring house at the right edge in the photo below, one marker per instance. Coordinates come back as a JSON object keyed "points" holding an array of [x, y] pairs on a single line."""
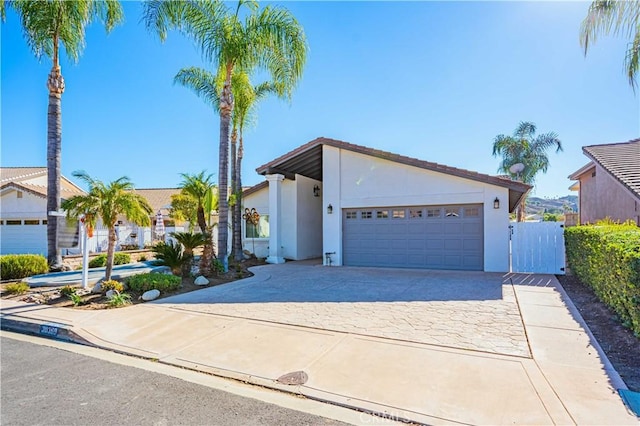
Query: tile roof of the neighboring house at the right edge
{"points": [[621, 160]]}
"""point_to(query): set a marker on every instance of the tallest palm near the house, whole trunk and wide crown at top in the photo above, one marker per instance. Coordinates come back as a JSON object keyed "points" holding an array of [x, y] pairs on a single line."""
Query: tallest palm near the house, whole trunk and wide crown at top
{"points": [[269, 40]]}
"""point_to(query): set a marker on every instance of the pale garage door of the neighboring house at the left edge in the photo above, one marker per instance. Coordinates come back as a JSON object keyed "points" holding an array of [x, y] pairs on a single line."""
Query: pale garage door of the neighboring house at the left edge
{"points": [[23, 236]]}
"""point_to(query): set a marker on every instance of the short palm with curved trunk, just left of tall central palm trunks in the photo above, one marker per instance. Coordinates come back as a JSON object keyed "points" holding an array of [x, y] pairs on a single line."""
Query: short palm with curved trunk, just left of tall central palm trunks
{"points": [[200, 188]]}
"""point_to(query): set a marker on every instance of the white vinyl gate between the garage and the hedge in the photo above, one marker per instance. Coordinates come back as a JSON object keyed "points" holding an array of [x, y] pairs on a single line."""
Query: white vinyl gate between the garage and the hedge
{"points": [[537, 247]]}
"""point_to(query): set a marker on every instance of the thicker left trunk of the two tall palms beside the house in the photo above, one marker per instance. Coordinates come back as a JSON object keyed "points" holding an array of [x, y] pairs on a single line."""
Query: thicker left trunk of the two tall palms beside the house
{"points": [[226, 107]]}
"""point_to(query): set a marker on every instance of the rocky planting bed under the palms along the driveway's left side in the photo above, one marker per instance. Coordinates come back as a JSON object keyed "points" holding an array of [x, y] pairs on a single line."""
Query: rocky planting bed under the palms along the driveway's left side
{"points": [[51, 295]]}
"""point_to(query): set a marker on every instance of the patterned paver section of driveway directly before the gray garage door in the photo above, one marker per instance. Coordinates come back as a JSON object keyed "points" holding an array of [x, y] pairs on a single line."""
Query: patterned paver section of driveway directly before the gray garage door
{"points": [[464, 310]]}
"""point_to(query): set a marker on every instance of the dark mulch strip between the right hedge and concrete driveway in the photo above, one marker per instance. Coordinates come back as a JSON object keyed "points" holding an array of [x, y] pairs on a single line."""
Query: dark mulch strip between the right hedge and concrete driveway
{"points": [[619, 343]]}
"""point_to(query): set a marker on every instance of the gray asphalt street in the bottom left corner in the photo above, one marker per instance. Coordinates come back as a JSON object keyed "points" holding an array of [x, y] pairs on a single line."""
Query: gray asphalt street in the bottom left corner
{"points": [[50, 386]]}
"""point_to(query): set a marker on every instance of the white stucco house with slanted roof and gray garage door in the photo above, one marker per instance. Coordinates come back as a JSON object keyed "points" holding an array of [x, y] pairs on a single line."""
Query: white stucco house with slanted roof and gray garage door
{"points": [[364, 207]]}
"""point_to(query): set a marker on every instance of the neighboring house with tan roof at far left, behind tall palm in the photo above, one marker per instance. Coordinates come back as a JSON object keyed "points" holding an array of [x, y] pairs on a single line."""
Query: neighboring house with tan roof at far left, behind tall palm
{"points": [[23, 208]]}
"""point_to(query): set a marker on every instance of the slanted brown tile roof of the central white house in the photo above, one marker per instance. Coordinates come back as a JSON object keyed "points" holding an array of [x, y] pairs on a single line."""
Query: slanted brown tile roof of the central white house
{"points": [[306, 160]]}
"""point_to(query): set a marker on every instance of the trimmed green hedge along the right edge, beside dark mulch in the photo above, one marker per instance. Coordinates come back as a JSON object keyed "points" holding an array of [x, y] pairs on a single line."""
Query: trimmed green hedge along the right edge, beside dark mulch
{"points": [[607, 258]]}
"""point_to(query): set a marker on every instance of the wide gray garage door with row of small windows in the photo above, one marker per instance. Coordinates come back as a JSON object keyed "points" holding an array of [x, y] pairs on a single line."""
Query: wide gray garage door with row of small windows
{"points": [[434, 237]]}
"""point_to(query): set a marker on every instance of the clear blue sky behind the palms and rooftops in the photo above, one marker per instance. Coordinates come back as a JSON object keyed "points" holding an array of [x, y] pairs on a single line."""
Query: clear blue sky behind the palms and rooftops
{"points": [[432, 80]]}
